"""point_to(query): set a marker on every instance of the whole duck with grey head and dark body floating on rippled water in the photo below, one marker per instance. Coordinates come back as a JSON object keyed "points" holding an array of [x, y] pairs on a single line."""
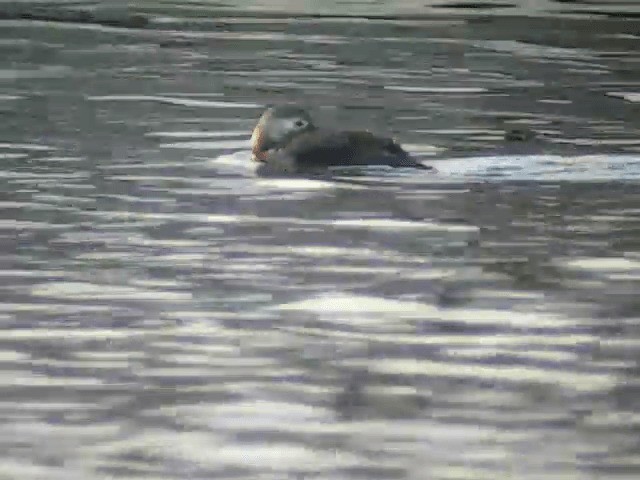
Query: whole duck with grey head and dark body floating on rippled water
{"points": [[286, 140]]}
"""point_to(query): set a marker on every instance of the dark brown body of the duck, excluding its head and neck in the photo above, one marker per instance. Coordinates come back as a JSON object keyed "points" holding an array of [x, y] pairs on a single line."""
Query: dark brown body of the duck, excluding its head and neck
{"points": [[326, 148]]}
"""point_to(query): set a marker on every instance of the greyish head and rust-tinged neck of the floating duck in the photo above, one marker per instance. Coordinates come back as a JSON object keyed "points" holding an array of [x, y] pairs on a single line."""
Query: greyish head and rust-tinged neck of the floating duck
{"points": [[276, 127]]}
